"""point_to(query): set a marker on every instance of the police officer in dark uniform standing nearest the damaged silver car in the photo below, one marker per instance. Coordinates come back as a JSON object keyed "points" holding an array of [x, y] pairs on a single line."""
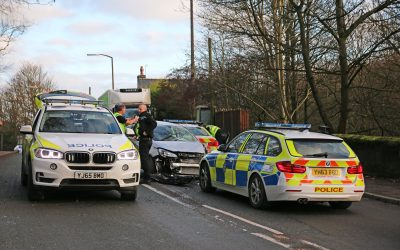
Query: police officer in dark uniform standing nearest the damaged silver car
{"points": [[145, 124]]}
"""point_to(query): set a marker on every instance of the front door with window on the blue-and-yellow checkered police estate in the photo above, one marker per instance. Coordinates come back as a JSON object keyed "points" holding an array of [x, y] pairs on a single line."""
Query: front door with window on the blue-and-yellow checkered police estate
{"points": [[226, 161]]}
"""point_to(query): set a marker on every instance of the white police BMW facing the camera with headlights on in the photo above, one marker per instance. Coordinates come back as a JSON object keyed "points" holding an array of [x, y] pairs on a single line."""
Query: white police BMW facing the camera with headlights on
{"points": [[76, 144]]}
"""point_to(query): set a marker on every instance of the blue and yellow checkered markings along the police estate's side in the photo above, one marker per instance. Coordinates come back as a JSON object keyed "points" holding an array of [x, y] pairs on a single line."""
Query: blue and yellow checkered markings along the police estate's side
{"points": [[234, 169]]}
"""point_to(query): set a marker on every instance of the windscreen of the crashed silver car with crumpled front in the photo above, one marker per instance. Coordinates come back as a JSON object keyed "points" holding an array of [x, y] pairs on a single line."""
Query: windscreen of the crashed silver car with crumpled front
{"points": [[172, 133]]}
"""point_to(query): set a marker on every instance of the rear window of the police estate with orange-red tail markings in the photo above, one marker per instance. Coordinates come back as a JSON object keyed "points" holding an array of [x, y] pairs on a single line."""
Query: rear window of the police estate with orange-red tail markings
{"points": [[318, 148]]}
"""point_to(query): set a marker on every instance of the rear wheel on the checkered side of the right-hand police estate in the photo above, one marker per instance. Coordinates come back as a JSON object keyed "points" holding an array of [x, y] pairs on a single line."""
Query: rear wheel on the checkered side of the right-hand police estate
{"points": [[257, 196]]}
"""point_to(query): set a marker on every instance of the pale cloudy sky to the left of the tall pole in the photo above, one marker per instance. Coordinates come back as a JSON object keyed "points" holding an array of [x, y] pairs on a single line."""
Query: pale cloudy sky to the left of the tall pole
{"points": [[150, 33]]}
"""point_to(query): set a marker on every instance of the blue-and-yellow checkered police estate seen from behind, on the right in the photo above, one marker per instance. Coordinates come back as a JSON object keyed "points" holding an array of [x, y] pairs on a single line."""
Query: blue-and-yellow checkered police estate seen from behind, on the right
{"points": [[285, 162]]}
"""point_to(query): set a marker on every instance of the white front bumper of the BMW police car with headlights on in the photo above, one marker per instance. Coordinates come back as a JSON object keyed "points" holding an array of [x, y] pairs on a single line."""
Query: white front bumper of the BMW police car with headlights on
{"points": [[63, 177]]}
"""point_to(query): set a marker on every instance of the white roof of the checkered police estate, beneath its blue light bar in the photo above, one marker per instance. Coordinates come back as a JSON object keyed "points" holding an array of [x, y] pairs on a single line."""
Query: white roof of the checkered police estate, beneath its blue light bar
{"points": [[298, 134]]}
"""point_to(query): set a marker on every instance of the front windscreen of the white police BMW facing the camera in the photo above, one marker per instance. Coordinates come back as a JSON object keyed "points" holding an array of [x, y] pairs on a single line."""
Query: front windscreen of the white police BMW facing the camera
{"points": [[72, 121]]}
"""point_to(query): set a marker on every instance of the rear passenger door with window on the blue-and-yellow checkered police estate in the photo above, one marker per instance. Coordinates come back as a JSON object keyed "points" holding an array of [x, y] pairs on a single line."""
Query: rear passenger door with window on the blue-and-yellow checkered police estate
{"points": [[251, 158]]}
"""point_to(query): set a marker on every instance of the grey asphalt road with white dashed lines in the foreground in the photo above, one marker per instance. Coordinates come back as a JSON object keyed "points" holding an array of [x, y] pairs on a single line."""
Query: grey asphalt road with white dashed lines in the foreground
{"points": [[171, 217]]}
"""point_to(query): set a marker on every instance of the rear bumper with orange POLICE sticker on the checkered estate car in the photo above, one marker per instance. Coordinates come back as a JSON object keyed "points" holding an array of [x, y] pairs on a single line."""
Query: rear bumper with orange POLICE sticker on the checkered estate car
{"points": [[349, 193]]}
